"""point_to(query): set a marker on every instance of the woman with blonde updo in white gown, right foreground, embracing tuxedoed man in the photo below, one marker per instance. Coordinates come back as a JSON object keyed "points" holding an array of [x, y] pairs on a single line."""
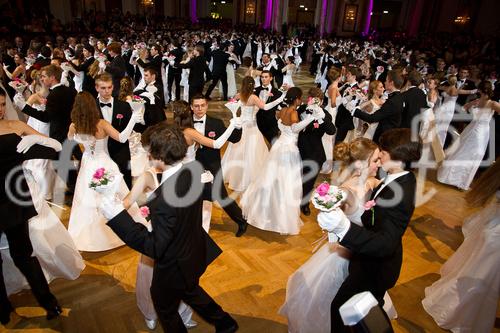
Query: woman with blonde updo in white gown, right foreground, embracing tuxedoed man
{"points": [[312, 287]]}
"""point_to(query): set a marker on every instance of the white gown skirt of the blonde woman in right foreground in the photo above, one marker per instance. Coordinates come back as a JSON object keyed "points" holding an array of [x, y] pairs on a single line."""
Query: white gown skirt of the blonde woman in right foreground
{"points": [[312, 288]]}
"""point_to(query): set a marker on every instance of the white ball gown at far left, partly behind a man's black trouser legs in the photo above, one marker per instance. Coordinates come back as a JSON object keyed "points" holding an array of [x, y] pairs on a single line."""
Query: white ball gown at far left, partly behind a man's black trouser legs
{"points": [[52, 244]]}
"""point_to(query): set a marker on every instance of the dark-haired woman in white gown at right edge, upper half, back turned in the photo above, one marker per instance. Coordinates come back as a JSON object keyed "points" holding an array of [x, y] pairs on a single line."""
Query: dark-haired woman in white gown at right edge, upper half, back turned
{"points": [[461, 165]]}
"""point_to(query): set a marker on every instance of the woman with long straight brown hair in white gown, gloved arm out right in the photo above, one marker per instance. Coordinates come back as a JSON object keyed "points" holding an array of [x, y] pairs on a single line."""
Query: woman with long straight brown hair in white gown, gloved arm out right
{"points": [[243, 161]]}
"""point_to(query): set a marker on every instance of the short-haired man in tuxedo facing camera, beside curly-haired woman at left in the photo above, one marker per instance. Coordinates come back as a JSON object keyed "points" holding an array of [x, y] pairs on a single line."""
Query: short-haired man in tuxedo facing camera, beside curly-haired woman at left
{"points": [[118, 114]]}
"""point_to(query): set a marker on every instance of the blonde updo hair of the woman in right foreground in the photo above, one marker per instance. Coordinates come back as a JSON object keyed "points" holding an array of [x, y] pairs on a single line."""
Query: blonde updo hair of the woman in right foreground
{"points": [[360, 149]]}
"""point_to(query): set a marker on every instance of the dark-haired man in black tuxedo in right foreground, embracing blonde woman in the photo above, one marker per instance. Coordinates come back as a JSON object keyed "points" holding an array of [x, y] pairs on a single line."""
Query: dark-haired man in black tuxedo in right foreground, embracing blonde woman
{"points": [[377, 251]]}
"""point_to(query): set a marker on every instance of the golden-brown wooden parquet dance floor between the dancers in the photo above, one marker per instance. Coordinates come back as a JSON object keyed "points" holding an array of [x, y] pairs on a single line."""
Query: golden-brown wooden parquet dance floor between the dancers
{"points": [[249, 278]]}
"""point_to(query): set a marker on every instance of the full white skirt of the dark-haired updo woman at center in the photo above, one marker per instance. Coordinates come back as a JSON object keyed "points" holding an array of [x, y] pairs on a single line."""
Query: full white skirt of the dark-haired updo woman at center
{"points": [[272, 201]]}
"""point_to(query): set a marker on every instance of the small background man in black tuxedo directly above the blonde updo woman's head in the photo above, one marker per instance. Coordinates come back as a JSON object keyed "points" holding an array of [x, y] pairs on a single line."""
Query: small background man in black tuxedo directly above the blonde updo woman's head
{"points": [[343, 121]]}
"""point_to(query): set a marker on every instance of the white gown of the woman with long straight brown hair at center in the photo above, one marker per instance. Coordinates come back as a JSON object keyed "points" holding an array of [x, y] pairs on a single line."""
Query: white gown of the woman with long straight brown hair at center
{"points": [[243, 161]]}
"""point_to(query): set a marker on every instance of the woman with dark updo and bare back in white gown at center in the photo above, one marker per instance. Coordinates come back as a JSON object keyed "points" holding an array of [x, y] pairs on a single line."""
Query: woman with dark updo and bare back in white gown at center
{"points": [[272, 201]]}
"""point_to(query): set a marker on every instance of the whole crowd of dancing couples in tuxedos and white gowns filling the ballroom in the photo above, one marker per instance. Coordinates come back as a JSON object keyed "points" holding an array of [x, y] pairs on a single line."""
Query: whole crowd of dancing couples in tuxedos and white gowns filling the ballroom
{"points": [[368, 100]]}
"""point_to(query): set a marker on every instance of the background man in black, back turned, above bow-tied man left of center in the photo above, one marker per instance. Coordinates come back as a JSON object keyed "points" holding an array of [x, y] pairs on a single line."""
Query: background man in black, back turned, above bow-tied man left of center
{"points": [[198, 69]]}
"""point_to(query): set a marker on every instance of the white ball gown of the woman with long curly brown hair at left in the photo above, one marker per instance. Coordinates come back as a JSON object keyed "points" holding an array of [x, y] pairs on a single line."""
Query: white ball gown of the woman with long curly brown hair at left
{"points": [[87, 225]]}
